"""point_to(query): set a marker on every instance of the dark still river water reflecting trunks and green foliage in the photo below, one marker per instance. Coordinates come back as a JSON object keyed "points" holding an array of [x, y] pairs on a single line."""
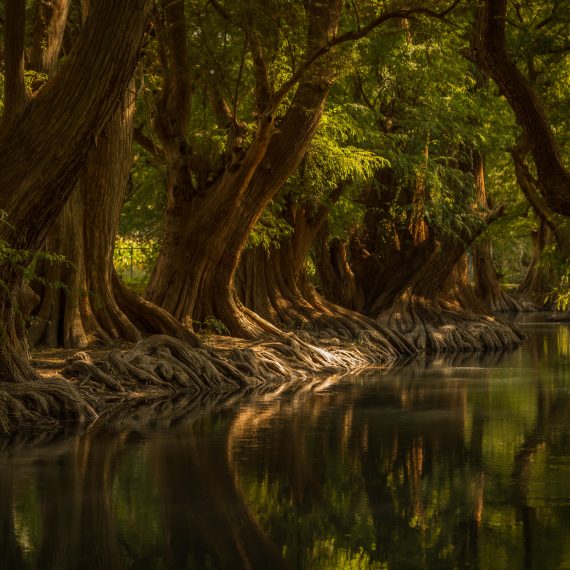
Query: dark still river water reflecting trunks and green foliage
{"points": [[448, 464]]}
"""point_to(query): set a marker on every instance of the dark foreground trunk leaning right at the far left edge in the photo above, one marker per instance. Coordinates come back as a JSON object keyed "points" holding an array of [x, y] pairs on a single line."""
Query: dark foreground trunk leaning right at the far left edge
{"points": [[43, 150]]}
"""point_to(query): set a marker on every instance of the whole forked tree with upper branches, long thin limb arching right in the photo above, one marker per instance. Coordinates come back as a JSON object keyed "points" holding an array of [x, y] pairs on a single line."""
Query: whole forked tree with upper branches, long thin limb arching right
{"points": [[212, 208]]}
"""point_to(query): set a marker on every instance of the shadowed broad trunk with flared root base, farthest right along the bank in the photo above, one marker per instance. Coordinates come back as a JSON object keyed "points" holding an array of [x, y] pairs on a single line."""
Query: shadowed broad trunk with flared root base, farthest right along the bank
{"points": [[419, 287]]}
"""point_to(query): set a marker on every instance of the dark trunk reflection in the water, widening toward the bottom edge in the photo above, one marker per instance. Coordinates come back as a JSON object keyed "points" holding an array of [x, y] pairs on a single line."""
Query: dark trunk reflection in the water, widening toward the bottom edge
{"points": [[215, 523]]}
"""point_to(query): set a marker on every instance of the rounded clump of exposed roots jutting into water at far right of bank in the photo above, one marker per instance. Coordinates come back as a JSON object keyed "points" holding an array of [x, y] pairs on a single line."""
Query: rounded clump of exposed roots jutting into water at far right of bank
{"points": [[444, 326]]}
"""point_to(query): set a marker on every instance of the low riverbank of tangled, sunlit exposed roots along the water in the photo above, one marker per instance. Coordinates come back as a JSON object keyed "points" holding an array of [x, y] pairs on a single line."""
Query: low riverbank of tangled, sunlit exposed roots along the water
{"points": [[87, 386]]}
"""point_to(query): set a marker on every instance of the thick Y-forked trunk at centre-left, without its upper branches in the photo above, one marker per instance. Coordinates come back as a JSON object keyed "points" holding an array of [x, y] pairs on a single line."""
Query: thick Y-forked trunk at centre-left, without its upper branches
{"points": [[207, 230]]}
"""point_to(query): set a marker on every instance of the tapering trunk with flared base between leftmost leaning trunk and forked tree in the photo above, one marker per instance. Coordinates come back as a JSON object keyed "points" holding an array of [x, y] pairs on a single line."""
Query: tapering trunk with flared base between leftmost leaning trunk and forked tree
{"points": [[82, 300]]}
